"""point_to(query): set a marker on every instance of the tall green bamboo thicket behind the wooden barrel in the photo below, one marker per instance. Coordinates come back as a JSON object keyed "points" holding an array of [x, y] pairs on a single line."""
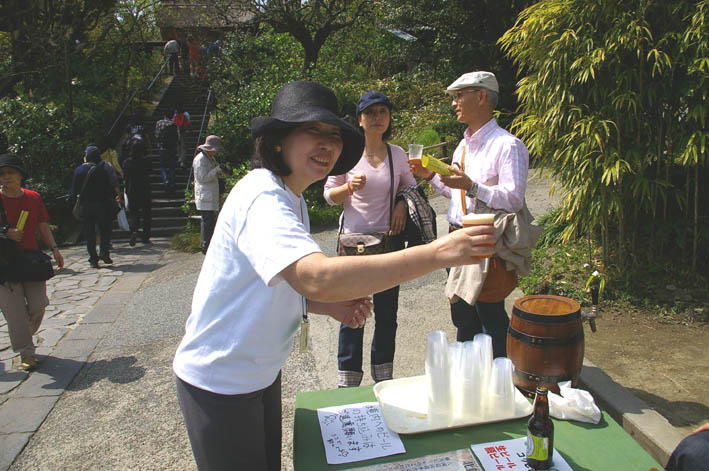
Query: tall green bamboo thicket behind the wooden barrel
{"points": [[613, 101]]}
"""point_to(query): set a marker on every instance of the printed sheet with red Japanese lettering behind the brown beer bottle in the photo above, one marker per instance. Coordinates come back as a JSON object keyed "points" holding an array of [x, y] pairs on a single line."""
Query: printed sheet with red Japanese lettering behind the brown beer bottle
{"points": [[511, 455]]}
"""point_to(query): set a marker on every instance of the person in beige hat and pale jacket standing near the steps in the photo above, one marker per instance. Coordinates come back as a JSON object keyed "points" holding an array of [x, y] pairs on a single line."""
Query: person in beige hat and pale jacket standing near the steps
{"points": [[206, 187]]}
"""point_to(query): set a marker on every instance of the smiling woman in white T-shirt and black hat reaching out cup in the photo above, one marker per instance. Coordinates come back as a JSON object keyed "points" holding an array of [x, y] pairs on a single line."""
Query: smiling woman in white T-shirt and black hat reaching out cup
{"points": [[264, 273]]}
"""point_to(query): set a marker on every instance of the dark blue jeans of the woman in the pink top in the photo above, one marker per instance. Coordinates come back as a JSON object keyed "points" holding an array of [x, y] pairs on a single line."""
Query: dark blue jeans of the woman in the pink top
{"points": [[386, 305]]}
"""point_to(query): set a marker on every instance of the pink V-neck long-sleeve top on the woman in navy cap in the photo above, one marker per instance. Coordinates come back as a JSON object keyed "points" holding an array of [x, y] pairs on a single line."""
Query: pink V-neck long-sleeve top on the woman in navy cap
{"points": [[367, 210]]}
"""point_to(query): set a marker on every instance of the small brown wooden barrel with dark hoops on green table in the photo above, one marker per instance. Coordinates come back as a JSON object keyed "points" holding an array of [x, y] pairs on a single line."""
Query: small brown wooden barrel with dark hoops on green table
{"points": [[545, 342]]}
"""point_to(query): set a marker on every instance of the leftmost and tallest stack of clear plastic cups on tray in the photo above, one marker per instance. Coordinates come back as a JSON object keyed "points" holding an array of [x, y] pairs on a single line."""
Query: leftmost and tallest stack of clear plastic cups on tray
{"points": [[437, 370]]}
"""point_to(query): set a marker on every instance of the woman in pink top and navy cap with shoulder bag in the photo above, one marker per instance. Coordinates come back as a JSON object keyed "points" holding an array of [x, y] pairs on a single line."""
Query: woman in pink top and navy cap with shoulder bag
{"points": [[369, 206]]}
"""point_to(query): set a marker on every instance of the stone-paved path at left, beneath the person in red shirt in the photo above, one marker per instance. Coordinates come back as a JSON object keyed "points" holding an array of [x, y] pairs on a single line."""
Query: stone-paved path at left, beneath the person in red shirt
{"points": [[81, 311]]}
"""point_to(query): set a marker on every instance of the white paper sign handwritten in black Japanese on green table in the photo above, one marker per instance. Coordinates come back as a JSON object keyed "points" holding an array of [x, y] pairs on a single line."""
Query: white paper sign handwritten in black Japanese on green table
{"points": [[356, 432]]}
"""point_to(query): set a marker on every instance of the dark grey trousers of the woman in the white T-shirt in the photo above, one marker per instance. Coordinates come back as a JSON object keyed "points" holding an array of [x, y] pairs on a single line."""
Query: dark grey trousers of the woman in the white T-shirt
{"points": [[233, 432]]}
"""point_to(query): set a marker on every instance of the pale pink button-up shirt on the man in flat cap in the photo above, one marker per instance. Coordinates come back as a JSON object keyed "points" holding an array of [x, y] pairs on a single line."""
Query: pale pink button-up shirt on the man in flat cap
{"points": [[498, 162]]}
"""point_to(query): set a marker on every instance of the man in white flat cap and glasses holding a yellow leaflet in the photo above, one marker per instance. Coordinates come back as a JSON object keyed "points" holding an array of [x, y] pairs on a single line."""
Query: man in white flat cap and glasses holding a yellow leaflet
{"points": [[489, 166]]}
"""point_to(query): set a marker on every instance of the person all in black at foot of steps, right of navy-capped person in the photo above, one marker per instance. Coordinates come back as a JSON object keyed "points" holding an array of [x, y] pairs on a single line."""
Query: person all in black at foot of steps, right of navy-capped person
{"points": [[136, 170]]}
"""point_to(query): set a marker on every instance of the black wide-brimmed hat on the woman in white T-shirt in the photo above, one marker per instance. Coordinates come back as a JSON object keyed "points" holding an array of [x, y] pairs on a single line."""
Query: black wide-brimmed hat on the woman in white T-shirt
{"points": [[303, 102]]}
